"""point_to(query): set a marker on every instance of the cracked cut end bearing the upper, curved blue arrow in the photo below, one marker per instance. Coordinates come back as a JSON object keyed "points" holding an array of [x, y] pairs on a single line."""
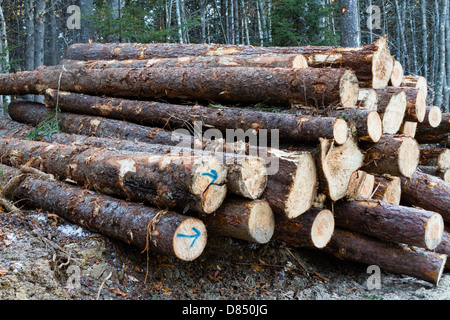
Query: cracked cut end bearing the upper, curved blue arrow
{"points": [[209, 182]]}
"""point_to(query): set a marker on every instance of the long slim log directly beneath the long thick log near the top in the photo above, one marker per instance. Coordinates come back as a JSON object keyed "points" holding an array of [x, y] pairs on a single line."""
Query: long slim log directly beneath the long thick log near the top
{"points": [[151, 113]]}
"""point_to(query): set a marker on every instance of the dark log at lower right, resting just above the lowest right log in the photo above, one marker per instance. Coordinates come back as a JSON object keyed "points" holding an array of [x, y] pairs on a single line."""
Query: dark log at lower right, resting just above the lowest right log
{"points": [[389, 222]]}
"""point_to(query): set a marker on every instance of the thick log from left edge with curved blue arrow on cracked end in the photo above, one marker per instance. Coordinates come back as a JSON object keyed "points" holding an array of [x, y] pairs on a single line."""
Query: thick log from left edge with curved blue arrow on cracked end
{"points": [[165, 181]]}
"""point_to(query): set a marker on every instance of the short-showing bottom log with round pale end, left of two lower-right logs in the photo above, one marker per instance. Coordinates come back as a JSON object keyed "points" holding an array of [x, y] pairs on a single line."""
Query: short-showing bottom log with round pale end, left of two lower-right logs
{"points": [[314, 229]]}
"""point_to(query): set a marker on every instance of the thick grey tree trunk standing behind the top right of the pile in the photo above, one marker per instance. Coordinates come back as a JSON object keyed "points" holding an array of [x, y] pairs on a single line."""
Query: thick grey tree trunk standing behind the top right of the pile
{"points": [[350, 34]]}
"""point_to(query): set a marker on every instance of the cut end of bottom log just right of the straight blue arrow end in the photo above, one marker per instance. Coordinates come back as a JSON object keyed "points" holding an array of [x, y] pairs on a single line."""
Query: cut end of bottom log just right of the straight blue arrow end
{"points": [[261, 222]]}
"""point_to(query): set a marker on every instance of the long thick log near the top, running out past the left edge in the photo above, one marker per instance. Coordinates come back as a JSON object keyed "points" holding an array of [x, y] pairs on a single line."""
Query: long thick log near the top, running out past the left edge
{"points": [[272, 86]]}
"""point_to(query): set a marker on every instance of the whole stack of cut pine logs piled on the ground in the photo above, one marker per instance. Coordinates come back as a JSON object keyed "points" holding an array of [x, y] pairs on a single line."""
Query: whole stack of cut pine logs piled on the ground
{"points": [[159, 144]]}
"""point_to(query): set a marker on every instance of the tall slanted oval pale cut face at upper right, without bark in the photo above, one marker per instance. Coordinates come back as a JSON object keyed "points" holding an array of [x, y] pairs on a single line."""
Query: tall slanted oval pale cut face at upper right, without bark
{"points": [[394, 113]]}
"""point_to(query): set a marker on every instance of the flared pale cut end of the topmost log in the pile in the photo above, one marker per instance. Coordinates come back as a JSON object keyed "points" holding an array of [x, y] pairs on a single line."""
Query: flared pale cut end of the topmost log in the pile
{"points": [[382, 65]]}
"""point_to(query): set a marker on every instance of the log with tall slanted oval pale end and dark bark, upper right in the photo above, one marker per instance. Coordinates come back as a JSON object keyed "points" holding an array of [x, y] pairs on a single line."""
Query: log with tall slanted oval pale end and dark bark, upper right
{"points": [[392, 108]]}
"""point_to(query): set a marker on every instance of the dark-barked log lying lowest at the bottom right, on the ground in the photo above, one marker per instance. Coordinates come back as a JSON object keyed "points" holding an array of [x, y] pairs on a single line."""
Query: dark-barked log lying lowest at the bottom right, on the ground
{"points": [[391, 257]]}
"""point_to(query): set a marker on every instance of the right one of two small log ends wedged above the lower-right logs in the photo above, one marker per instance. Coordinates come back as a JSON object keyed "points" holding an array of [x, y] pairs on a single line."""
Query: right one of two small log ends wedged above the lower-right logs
{"points": [[388, 189]]}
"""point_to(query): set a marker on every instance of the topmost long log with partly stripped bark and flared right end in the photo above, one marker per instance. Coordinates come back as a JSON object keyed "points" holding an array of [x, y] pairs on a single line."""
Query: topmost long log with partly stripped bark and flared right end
{"points": [[372, 63]]}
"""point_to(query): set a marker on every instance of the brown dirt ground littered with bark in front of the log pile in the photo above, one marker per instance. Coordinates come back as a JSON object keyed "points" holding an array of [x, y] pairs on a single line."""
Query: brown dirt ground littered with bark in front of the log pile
{"points": [[45, 258]]}
